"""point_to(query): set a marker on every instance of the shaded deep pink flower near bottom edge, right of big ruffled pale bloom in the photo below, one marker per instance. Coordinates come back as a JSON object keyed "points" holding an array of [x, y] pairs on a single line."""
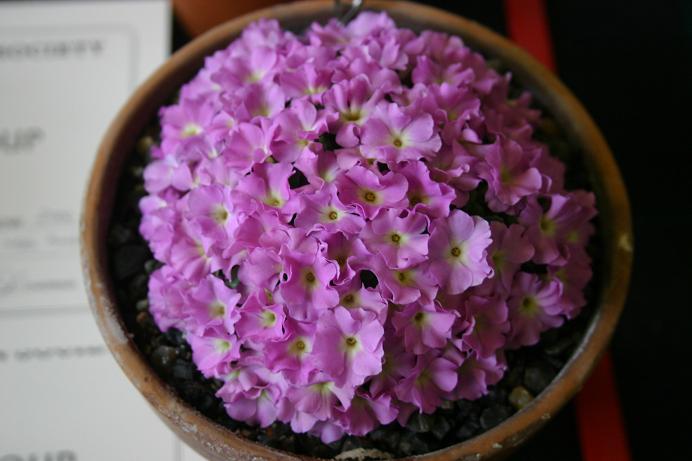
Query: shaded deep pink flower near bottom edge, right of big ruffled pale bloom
{"points": [[430, 378]]}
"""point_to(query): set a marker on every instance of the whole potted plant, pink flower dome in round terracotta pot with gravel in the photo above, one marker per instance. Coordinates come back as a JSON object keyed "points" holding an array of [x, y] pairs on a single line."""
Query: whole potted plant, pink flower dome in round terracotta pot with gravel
{"points": [[354, 228]]}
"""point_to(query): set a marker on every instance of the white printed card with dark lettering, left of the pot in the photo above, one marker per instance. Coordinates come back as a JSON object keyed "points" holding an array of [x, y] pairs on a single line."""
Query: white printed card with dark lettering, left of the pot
{"points": [[65, 70]]}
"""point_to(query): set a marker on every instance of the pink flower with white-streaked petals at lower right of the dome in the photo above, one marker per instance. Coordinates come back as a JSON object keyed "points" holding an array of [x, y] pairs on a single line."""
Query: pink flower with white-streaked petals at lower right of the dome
{"points": [[534, 306]]}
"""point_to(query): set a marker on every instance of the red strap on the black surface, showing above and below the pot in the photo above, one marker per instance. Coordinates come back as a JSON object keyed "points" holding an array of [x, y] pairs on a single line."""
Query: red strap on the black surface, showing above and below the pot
{"points": [[601, 427]]}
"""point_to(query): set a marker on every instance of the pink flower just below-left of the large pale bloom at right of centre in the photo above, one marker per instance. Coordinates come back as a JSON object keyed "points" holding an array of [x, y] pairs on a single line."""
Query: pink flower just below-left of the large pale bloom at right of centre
{"points": [[424, 326]]}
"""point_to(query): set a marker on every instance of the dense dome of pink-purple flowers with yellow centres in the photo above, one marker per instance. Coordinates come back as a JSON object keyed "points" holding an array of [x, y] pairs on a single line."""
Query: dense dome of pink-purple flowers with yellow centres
{"points": [[356, 223]]}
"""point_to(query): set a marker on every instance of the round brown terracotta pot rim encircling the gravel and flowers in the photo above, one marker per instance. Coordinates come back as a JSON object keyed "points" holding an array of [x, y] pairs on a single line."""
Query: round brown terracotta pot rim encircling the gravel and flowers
{"points": [[218, 443]]}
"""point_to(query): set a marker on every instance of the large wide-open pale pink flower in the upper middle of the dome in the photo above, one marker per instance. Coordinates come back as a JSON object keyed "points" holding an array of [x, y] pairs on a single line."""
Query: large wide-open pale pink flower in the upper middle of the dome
{"points": [[391, 135]]}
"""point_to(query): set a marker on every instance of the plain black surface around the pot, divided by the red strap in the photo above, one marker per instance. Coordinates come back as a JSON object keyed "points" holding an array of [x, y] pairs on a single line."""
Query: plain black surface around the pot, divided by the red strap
{"points": [[629, 64]]}
